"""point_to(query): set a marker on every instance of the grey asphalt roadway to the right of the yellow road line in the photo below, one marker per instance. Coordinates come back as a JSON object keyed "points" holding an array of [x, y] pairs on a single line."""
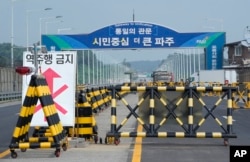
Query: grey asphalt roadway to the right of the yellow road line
{"points": [[200, 149]]}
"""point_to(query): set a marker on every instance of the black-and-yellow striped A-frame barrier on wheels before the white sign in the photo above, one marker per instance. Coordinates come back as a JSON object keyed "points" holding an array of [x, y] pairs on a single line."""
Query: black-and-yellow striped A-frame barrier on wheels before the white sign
{"points": [[38, 90]]}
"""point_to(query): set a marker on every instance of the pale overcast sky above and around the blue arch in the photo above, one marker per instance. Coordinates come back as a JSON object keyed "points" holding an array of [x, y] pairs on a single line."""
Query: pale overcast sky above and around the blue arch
{"points": [[86, 16]]}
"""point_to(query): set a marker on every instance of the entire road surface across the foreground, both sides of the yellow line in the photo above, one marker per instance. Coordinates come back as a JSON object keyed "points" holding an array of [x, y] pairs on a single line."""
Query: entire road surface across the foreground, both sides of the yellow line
{"points": [[152, 149]]}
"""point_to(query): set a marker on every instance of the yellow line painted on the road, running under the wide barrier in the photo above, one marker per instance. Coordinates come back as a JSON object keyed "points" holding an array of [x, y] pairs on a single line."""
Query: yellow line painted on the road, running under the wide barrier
{"points": [[138, 147]]}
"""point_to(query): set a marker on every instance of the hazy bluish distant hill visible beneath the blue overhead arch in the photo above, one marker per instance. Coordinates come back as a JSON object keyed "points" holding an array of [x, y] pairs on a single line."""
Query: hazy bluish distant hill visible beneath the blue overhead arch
{"points": [[145, 66]]}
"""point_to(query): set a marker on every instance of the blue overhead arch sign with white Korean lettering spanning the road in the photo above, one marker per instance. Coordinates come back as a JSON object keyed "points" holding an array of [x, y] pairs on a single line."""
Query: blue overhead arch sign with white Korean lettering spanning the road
{"points": [[134, 35]]}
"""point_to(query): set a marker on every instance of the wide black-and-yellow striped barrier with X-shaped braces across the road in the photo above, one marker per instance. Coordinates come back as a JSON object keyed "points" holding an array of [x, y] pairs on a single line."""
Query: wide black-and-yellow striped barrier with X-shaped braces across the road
{"points": [[190, 128]]}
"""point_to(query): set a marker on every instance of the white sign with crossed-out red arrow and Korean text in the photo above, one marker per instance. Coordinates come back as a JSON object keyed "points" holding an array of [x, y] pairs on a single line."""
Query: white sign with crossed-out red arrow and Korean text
{"points": [[59, 69]]}
